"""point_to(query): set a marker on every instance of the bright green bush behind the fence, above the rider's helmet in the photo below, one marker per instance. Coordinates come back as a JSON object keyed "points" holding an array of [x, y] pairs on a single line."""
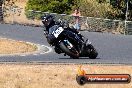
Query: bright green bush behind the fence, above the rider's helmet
{"points": [[56, 6]]}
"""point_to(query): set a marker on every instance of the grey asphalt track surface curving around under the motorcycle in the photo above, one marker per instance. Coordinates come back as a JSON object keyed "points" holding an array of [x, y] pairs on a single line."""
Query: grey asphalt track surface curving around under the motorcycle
{"points": [[112, 49]]}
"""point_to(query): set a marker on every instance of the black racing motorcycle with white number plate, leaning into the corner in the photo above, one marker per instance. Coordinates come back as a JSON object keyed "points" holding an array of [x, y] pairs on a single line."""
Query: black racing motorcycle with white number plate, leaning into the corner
{"points": [[64, 44]]}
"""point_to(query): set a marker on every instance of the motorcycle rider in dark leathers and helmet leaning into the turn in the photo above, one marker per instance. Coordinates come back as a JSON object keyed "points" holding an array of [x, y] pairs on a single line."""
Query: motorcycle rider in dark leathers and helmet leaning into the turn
{"points": [[50, 25]]}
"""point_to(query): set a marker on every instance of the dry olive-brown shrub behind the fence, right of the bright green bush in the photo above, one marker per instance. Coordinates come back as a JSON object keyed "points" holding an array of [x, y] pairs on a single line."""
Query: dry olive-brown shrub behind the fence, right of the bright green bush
{"points": [[92, 8]]}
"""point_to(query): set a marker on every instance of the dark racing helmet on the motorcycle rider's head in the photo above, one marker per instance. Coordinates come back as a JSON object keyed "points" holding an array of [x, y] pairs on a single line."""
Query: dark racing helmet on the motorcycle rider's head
{"points": [[47, 20]]}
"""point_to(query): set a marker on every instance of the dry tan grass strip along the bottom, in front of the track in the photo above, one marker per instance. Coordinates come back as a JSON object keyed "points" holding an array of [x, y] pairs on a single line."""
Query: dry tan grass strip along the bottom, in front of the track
{"points": [[55, 76]]}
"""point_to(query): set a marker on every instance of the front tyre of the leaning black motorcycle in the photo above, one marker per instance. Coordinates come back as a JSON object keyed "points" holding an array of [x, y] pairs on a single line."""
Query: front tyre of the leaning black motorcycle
{"points": [[73, 53]]}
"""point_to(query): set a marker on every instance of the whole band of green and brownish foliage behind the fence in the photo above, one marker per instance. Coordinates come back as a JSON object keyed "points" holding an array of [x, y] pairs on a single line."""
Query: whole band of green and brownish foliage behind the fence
{"points": [[112, 9]]}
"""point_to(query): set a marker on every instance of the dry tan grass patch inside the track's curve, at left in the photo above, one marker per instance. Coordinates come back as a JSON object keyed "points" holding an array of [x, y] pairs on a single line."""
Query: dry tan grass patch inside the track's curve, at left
{"points": [[12, 46]]}
